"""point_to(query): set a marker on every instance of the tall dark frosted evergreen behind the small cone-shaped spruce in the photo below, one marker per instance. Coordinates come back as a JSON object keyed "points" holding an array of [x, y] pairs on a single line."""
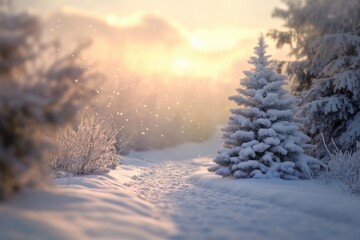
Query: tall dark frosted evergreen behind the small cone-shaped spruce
{"points": [[325, 36]]}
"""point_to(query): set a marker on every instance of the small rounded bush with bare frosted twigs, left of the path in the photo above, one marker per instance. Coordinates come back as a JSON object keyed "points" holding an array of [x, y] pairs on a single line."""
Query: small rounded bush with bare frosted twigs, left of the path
{"points": [[88, 149]]}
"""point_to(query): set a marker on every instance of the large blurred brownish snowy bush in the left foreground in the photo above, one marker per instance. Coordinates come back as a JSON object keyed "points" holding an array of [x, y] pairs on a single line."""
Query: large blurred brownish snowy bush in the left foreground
{"points": [[40, 88]]}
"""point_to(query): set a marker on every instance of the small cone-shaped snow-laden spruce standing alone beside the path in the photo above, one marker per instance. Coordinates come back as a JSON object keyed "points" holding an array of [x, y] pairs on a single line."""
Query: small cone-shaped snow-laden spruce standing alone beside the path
{"points": [[262, 140]]}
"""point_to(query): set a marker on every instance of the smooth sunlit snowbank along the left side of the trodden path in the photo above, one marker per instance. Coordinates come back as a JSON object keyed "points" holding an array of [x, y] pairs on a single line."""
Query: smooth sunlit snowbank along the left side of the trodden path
{"points": [[88, 207]]}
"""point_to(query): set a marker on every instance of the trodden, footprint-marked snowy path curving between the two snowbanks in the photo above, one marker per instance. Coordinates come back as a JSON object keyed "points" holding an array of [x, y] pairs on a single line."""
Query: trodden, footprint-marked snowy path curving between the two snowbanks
{"points": [[215, 213]]}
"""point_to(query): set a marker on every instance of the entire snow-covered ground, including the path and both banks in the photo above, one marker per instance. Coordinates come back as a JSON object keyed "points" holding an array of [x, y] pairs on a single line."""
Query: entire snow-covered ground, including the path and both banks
{"points": [[168, 194]]}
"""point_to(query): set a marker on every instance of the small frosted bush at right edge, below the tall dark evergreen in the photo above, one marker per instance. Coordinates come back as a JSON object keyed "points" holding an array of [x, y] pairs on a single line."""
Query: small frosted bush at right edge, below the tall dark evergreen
{"points": [[344, 168]]}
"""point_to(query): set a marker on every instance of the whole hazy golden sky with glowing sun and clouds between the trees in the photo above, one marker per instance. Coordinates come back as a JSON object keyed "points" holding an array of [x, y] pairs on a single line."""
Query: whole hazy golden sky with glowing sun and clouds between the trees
{"points": [[165, 52]]}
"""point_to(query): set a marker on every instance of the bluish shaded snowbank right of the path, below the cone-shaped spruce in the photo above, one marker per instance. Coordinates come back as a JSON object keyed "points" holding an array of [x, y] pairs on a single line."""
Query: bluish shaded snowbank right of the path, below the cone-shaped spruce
{"points": [[310, 197]]}
